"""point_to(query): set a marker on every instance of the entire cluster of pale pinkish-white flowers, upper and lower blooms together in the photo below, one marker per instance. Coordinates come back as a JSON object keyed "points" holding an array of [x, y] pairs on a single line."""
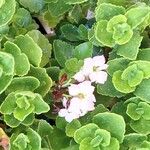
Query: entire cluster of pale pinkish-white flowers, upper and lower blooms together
{"points": [[81, 95]]}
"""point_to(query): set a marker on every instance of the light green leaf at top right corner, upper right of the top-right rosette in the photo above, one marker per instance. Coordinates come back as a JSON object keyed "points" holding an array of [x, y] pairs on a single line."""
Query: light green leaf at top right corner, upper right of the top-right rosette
{"points": [[138, 13]]}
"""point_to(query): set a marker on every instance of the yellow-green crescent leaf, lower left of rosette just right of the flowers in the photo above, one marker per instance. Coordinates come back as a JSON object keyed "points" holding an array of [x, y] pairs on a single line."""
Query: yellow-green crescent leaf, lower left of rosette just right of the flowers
{"points": [[120, 84]]}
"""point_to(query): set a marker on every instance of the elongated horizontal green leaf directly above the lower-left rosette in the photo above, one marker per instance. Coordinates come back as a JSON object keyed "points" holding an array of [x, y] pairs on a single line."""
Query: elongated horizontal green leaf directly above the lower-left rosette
{"points": [[27, 83]]}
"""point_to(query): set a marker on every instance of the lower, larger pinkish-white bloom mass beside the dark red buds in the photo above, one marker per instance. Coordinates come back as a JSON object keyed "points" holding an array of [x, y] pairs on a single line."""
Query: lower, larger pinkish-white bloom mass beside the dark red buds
{"points": [[81, 102]]}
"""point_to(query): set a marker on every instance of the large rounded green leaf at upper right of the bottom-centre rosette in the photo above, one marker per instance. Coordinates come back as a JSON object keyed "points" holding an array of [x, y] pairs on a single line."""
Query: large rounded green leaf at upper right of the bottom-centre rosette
{"points": [[112, 123]]}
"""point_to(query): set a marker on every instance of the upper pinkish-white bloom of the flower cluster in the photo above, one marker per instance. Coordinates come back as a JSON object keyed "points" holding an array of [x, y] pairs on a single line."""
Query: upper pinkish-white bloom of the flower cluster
{"points": [[93, 70]]}
